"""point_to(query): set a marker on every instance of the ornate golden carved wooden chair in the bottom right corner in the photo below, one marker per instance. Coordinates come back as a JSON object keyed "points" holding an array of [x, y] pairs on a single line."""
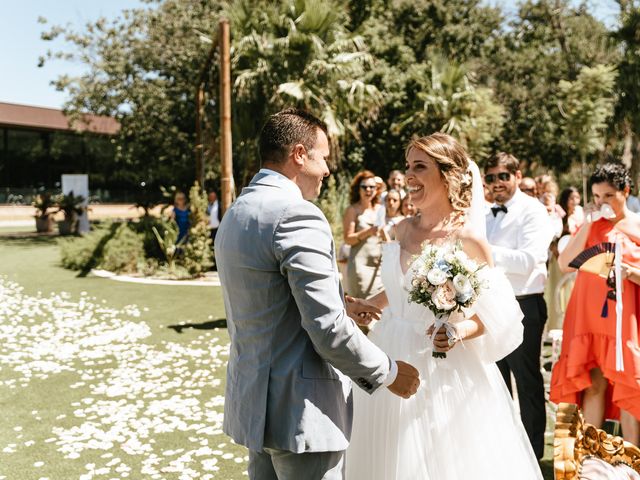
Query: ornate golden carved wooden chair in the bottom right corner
{"points": [[577, 444]]}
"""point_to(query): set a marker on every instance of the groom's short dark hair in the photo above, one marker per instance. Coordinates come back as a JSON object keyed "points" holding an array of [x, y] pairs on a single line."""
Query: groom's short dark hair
{"points": [[285, 129]]}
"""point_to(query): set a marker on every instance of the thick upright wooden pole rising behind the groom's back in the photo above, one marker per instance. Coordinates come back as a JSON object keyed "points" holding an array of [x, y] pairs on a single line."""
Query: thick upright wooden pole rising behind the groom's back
{"points": [[225, 114]]}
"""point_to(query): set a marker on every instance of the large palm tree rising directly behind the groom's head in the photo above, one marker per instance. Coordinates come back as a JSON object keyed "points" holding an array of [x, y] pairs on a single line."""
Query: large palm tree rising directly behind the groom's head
{"points": [[298, 53]]}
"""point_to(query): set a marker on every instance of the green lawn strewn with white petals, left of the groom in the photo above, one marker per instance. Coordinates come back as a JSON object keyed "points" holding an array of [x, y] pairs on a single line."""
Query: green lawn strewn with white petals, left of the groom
{"points": [[102, 379]]}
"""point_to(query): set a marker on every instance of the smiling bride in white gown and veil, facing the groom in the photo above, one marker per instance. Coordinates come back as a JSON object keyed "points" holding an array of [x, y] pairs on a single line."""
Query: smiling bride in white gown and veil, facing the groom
{"points": [[462, 423]]}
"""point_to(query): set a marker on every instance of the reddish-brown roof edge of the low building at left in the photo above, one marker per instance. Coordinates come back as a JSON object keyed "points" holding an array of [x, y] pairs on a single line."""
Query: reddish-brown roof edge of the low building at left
{"points": [[40, 118]]}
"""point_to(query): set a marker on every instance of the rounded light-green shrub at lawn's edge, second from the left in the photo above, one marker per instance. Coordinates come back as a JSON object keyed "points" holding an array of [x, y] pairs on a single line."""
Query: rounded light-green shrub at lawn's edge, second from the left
{"points": [[124, 251]]}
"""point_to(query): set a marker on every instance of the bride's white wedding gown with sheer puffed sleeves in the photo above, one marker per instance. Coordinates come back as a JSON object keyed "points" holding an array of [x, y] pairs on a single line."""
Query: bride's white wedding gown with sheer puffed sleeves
{"points": [[461, 424]]}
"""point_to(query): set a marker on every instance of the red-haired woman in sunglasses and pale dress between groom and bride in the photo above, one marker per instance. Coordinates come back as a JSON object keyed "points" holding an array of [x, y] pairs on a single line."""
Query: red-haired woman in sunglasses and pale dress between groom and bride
{"points": [[361, 233]]}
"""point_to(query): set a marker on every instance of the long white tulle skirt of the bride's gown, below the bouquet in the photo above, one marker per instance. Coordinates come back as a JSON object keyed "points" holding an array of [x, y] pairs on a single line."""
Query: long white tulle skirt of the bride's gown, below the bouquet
{"points": [[461, 424]]}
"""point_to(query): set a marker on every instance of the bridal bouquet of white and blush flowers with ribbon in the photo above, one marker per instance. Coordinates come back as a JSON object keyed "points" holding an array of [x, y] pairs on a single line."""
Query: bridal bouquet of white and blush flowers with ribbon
{"points": [[445, 280]]}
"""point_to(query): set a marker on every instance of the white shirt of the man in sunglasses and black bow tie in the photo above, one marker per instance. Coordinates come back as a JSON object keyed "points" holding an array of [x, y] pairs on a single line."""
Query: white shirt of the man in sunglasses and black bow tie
{"points": [[520, 242]]}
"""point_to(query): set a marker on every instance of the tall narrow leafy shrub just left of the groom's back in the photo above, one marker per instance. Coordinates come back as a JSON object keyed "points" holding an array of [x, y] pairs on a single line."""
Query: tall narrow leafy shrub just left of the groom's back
{"points": [[197, 255]]}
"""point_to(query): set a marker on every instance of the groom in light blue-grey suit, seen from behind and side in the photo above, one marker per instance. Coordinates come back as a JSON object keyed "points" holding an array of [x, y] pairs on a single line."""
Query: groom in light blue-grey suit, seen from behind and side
{"points": [[292, 343]]}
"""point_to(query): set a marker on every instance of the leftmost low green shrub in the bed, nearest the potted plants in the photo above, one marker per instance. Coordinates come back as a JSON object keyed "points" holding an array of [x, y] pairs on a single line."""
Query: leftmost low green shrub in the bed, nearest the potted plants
{"points": [[85, 252]]}
